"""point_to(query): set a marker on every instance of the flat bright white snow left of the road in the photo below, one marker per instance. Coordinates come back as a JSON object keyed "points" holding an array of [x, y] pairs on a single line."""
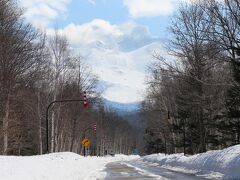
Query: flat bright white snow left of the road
{"points": [[56, 166]]}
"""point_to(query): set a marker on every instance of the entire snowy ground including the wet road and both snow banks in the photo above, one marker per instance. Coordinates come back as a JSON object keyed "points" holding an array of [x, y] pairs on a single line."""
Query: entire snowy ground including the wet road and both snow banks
{"points": [[220, 164]]}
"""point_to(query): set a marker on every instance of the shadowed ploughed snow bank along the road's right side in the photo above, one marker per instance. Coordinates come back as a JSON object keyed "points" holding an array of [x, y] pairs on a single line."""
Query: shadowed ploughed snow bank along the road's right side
{"points": [[218, 164]]}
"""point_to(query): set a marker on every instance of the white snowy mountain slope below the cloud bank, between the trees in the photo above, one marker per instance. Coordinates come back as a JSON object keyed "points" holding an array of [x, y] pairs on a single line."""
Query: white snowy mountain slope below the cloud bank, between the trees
{"points": [[121, 73]]}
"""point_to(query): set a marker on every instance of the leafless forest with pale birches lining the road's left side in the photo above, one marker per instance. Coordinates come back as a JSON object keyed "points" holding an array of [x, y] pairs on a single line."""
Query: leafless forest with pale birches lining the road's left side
{"points": [[36, 69]]}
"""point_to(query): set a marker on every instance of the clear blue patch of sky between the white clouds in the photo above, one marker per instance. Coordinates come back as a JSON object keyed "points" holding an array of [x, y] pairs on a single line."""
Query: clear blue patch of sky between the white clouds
{"points": [[114, 11]]}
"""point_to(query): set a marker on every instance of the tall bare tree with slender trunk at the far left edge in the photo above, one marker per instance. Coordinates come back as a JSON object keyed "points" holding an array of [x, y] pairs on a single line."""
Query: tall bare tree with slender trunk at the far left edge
{"points": [[18, 55]]}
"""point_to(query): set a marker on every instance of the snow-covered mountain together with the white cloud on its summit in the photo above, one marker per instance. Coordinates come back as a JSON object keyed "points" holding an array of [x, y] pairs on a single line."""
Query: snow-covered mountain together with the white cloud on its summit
{"points": [[118, 53]]}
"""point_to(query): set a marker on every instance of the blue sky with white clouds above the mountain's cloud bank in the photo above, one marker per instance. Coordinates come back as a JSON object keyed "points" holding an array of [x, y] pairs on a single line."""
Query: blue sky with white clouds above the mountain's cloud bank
{"points": [[63, 12]]}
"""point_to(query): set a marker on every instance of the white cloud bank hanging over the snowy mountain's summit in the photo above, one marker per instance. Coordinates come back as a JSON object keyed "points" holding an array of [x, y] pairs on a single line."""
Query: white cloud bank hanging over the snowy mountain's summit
{"points": [[126, 37]]}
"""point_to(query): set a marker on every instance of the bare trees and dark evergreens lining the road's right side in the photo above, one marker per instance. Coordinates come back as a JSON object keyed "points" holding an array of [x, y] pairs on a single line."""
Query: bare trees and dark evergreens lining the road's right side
{"points": [[192, 104]]}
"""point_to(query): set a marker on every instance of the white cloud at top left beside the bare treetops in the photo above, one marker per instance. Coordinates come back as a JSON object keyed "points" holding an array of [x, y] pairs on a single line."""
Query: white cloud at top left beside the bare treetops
{"points": [[41, 12]]}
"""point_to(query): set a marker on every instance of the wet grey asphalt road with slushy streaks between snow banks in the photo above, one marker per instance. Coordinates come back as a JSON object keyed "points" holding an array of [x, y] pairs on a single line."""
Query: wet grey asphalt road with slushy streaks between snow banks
{"points": [[144, 171]]}
